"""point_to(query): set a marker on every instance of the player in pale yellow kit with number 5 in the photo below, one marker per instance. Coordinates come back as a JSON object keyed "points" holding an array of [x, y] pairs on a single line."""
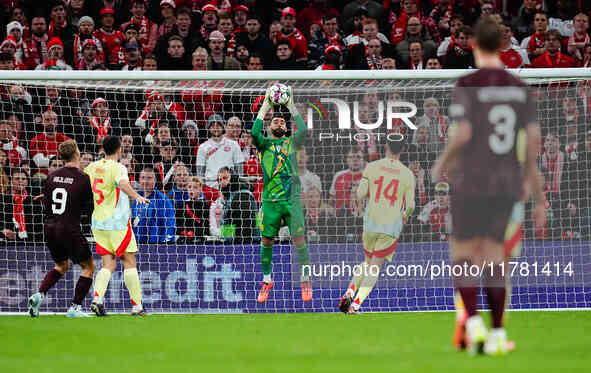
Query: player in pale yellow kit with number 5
{"points": [[111, 225]]}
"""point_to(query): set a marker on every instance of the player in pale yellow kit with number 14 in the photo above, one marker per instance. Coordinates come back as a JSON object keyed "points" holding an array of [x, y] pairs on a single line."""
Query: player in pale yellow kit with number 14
{"points": [[389, 187]]}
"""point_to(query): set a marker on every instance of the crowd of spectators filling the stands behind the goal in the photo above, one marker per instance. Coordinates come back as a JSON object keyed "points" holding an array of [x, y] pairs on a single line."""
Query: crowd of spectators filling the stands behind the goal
{"points": [[188, 147]]}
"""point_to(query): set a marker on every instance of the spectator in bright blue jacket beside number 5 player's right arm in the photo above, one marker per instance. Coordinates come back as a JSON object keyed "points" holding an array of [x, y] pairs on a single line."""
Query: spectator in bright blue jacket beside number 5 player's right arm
{"points": [[154, 222]]}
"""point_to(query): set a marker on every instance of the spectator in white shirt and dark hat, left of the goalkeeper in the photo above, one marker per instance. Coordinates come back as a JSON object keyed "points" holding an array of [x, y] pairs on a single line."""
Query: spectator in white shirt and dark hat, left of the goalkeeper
{"points": [[218, 152]]}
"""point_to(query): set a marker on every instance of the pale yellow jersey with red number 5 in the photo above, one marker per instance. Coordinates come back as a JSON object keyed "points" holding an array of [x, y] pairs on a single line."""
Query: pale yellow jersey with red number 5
{"points": [[111, 205]]}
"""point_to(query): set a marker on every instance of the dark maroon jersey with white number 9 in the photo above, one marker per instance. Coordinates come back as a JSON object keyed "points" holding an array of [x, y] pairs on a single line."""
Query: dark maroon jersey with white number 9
{"points": [[66, 194]]}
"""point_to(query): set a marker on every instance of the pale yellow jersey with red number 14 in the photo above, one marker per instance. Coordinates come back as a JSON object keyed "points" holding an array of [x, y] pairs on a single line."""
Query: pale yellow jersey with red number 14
{"points": [[390, 183]]}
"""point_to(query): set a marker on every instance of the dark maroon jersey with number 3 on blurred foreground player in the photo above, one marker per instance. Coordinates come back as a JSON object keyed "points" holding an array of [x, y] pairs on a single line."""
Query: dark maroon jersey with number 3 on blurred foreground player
{"points": [[498, 107]]}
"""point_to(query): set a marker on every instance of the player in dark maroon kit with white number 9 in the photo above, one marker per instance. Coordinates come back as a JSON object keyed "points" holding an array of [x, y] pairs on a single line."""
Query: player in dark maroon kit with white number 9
{"points": [[66, 194]]}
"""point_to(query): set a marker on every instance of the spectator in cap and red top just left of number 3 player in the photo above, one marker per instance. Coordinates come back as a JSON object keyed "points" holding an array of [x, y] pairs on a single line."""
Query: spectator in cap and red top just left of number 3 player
{"points": [[435, 216]]}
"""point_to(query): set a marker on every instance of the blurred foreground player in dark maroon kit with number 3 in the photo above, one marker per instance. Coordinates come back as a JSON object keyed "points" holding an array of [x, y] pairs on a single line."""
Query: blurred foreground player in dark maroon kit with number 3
{"points": [[491, 157]]}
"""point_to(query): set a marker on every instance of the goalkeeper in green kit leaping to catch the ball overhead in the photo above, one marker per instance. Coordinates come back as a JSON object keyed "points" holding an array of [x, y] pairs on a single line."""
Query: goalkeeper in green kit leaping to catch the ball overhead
{"points": [[281, 192]]}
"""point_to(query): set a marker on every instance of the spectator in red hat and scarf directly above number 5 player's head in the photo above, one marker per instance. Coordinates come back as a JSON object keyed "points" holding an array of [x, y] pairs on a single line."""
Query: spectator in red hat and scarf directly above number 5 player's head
{"points": [[101, 126]]}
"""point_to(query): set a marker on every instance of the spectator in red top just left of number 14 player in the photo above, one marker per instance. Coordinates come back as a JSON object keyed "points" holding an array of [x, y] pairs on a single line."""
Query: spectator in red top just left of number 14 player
{"points": [[341, 183]]}
